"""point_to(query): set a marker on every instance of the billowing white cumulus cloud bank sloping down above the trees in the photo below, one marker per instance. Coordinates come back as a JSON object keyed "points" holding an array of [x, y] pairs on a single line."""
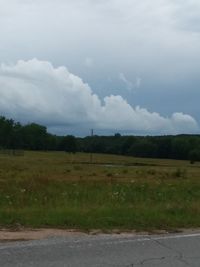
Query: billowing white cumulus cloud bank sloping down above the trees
{"points": [[37, 91]]}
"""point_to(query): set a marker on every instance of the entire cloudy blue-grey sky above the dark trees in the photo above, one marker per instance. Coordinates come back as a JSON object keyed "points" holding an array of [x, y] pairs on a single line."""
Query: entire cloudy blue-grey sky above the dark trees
{"points": [[128, 66]]}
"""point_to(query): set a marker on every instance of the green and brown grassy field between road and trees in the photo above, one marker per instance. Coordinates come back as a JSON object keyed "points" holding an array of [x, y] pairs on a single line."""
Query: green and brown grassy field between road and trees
{"points": [[44, 189]]}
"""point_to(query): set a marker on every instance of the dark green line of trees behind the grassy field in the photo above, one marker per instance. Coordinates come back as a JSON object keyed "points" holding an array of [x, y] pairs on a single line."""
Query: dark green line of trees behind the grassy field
{"points": [[32, 136]]}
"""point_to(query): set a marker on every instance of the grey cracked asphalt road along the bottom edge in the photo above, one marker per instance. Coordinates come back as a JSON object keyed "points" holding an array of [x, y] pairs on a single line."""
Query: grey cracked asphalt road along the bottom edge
{"points": [[124, 250]]}
